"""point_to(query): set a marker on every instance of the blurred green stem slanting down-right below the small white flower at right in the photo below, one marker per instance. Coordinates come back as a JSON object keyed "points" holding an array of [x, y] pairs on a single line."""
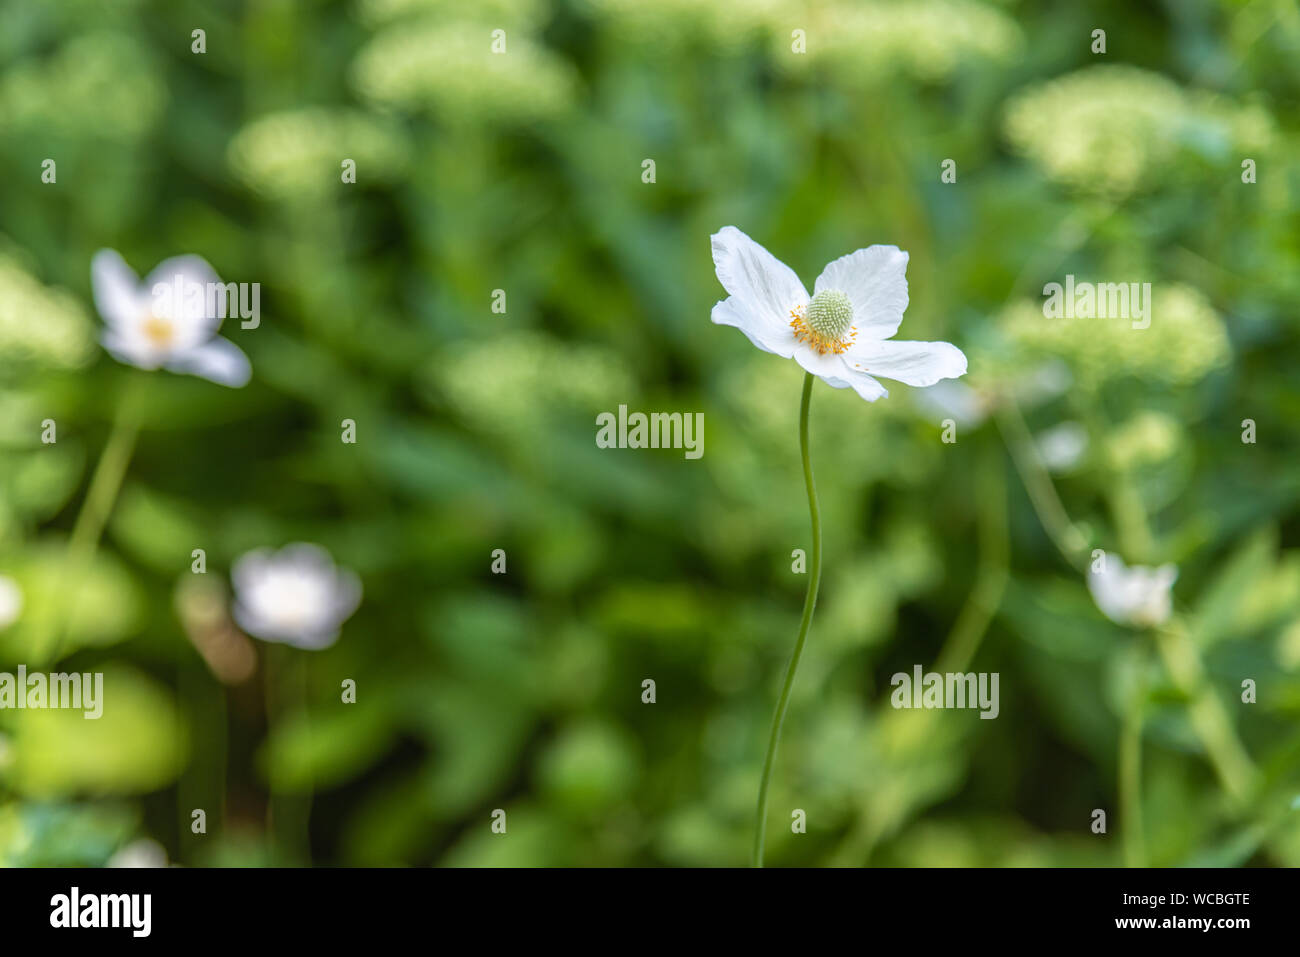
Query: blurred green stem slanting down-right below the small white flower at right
{"points": [[1211, 722]]}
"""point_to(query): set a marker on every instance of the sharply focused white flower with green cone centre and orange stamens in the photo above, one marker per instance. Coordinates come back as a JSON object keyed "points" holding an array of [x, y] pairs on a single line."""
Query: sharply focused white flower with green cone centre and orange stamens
{"points": [[842, 332]]}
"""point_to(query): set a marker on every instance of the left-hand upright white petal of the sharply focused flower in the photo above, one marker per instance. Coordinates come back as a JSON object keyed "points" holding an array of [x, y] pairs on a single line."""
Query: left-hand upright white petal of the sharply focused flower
{"points": [[762, 289]]}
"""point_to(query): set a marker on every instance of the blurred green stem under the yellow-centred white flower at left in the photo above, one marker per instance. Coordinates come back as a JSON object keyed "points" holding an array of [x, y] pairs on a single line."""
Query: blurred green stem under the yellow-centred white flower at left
{"points": [[98, 505]]}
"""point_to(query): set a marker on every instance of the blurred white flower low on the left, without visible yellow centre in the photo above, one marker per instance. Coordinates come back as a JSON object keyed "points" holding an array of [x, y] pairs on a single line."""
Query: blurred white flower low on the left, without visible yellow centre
{"points": [[296, 596]]}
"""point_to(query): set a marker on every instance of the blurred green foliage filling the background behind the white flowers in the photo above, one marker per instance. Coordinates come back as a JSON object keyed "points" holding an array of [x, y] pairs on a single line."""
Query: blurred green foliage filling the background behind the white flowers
{"points": [[523, 172]]}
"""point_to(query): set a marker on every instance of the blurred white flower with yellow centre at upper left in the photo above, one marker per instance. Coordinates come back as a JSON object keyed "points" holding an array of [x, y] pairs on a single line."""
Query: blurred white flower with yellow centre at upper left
{"points": [[166, 331]]}
